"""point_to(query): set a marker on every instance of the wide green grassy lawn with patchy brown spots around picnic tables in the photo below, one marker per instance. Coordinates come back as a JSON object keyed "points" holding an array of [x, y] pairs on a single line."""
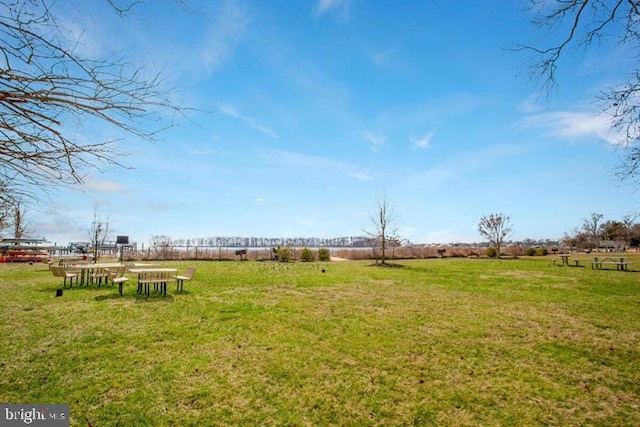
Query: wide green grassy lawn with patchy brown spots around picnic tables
{"points": [[438, 342]]}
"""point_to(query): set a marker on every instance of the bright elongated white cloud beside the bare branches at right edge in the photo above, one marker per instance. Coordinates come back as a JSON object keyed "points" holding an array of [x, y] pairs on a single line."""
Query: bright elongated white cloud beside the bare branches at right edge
{"points": [[573, 125]]}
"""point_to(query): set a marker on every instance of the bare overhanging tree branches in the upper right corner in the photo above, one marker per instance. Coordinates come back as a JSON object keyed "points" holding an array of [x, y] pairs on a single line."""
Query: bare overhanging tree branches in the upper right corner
{"points": [[584, 24]]}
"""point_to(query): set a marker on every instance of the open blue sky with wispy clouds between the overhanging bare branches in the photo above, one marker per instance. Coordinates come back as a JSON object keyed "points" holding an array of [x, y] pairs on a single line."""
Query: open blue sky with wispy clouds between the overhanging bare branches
{"points": [[304, 112]]}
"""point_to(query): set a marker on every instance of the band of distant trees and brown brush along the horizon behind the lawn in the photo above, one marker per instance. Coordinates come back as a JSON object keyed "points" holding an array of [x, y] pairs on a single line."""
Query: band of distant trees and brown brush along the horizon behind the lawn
{"points": [[595, 233]]}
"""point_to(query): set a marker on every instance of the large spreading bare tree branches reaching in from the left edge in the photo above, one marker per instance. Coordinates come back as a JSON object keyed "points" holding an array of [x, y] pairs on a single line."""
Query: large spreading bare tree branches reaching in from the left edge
{"points": [[47, 87]]}
